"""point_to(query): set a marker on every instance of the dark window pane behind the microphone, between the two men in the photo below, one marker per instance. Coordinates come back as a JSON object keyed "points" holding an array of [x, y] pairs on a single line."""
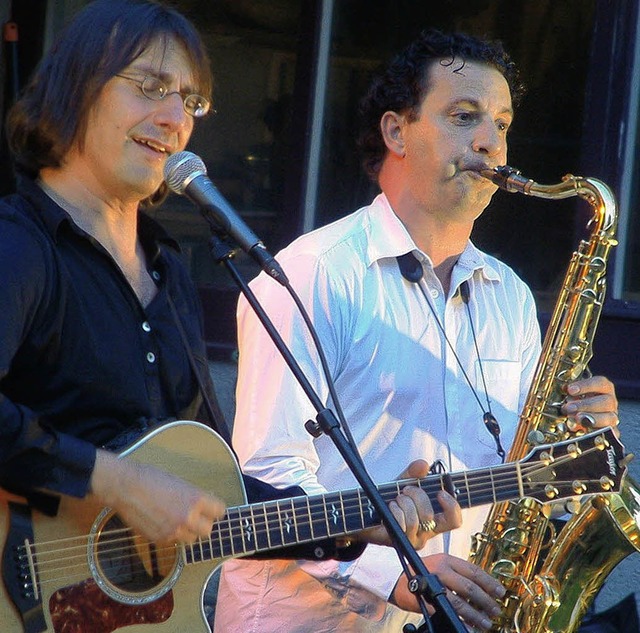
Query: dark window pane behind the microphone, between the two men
{"points": [[253, 51]]}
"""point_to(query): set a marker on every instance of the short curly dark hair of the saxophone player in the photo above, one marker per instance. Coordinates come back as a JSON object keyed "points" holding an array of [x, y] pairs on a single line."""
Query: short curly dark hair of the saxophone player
{"points": [[401, 87]]}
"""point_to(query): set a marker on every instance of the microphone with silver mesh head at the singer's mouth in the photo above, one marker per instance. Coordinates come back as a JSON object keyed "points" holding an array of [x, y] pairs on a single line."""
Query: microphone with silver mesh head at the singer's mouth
{"points": [[186, 174]]}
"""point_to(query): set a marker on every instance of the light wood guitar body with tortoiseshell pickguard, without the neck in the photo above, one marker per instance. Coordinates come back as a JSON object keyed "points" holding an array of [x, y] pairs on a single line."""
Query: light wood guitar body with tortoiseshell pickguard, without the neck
{"points": [[94, 575]]}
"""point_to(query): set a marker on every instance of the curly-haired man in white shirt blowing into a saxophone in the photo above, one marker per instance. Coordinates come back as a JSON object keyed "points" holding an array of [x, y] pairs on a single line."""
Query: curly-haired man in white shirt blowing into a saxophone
{"points": [[432, 344]]}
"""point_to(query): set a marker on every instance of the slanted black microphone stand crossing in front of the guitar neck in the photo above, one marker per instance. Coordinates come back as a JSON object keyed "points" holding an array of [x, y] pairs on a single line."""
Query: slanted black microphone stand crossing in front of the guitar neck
{"points": [[424, 585]]}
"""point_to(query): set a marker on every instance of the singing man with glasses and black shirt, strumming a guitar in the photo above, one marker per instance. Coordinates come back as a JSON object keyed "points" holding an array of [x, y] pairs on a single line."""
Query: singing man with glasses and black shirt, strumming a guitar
{"points": [[100, 323]]}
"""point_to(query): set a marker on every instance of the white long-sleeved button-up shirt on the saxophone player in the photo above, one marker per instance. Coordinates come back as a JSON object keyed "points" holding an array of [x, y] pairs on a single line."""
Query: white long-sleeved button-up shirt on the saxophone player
{"points": [[403, 393]]}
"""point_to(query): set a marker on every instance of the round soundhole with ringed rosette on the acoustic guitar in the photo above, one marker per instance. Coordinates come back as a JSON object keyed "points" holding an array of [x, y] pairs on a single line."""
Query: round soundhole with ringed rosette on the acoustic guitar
{"points": [[129, 568]]}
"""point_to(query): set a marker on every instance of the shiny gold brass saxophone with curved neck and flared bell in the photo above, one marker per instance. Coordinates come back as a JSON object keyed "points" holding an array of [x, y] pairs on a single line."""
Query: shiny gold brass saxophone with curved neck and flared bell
{"points": [[552, 577]]}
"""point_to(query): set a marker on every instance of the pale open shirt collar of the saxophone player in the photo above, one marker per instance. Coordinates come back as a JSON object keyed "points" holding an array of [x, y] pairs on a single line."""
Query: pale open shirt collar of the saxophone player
{"points": [[390, 238]]}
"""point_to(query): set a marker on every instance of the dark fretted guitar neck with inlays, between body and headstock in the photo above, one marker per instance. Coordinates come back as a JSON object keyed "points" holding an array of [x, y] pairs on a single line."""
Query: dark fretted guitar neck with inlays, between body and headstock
{"points": [[266, 526]]}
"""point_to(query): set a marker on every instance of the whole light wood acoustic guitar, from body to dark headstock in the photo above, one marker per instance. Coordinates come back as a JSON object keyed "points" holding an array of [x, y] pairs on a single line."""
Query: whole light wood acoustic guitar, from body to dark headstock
{"points": [[85, 571]]}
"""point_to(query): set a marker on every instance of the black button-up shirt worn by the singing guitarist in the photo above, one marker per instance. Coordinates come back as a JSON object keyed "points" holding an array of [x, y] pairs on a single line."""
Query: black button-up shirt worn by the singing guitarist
{"points": [[81, 361]]}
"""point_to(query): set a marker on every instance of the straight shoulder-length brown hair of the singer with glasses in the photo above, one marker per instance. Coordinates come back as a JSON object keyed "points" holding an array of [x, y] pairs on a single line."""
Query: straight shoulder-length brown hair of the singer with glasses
{"points": [[103, 39]]}
